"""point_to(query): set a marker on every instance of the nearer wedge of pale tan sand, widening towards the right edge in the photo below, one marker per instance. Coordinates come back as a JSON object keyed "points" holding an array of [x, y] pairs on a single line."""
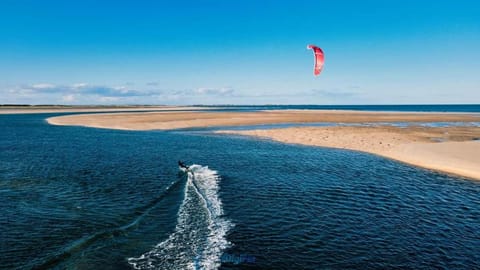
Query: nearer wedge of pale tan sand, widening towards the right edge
{"points": [[458, 155]]}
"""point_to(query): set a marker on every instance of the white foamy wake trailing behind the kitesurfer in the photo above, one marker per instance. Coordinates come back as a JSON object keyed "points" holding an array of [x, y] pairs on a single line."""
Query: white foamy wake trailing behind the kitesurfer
{"points": [[199, 237]]}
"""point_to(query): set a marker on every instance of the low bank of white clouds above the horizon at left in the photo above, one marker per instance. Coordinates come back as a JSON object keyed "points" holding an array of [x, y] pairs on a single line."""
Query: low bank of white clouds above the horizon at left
{"points": [[84, 93]]}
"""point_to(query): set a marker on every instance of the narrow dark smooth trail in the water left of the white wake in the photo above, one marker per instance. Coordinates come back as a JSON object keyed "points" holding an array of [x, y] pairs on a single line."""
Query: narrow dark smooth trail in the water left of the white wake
{"points": [[79, 244]]}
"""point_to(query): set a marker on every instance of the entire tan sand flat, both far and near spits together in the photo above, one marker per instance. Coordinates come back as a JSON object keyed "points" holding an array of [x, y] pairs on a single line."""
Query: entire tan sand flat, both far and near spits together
{"points": [[453, 149]]}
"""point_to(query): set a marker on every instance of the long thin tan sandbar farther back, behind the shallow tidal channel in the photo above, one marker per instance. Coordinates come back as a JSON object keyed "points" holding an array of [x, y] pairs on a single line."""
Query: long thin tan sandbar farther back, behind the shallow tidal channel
{"points": [[177, 120]]}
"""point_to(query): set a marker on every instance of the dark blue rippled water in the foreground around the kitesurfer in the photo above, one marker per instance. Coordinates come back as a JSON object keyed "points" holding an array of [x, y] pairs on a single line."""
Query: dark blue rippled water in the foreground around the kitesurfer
{"points": [[85, 198]]}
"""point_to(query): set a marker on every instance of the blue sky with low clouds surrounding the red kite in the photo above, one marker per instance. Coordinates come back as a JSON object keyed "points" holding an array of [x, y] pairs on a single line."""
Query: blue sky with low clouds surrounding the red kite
{"points": [[239, 52]]}
